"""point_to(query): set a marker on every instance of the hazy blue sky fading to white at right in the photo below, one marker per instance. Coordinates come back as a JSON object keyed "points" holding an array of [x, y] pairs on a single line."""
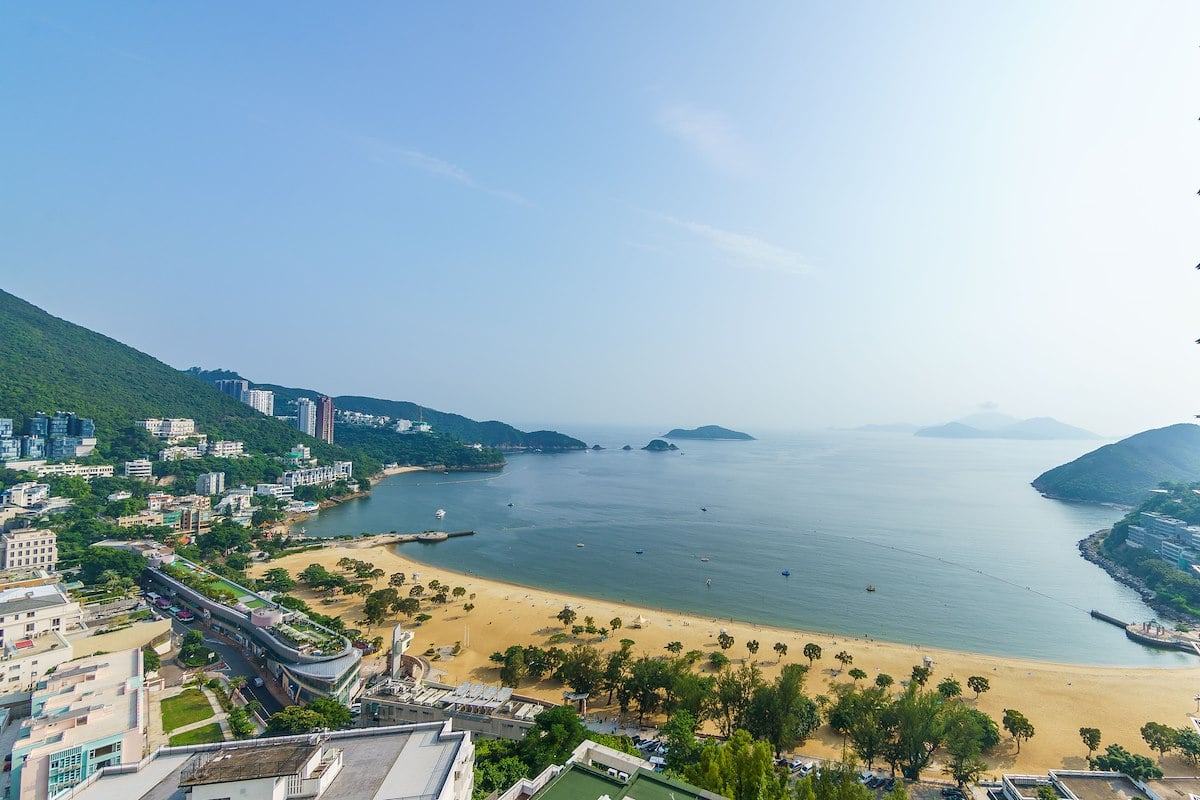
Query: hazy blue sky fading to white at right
{"points": [[766, 215]]}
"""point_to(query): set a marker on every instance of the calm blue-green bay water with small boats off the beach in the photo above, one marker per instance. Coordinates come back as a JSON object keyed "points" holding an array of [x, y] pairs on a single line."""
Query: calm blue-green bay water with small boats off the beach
{"points": [[963, 552]]}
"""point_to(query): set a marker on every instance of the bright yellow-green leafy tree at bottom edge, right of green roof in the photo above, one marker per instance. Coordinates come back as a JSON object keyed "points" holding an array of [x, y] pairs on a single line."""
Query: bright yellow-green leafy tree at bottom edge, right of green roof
{"points": [[741, 769]]}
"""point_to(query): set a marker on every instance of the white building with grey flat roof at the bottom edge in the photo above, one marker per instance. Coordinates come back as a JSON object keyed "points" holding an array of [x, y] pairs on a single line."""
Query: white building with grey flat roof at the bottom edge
{"points": [[425, 762]]}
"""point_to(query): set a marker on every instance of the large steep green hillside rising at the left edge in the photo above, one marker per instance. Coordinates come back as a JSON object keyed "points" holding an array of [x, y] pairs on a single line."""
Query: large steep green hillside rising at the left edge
{"points": [[52, 365]]}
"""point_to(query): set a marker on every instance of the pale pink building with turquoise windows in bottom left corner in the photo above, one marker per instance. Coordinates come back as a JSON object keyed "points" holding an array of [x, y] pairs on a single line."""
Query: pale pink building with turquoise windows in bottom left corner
{"points": [[88, 715]]}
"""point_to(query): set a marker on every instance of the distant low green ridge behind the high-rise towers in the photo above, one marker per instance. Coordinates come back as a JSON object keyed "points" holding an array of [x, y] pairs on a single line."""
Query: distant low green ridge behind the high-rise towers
{"points": [[490, 435]]}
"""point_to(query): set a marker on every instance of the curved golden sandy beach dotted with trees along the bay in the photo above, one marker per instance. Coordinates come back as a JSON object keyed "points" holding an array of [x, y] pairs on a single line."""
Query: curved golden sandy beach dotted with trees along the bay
{"points": [[1058, 699]]}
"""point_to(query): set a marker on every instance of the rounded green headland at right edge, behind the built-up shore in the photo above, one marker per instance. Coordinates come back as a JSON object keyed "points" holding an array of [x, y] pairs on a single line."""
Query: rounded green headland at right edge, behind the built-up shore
{"points": [[1126, 471]]}
